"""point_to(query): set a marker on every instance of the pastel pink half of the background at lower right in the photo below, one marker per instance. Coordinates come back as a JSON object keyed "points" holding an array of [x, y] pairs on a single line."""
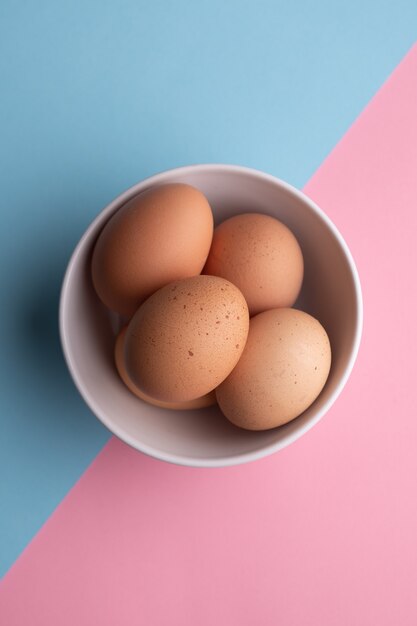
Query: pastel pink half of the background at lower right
{"points": [[323, 532]]}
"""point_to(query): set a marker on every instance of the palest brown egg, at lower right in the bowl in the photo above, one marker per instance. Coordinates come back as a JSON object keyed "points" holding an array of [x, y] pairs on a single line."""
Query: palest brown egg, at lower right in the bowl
{"points": [[281, 372]]}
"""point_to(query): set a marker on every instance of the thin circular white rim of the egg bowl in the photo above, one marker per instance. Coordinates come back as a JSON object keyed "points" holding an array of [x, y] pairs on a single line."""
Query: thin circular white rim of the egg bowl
{"points": [[239, 458]]}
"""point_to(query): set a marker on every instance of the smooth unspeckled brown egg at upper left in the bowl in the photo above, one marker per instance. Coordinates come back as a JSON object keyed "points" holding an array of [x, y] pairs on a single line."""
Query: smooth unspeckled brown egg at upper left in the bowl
{"points": [[161, 235]]}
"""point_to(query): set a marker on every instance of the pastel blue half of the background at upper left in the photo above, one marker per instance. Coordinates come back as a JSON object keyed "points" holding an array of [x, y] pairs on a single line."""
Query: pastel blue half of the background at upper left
{"points": [[97, 95]]}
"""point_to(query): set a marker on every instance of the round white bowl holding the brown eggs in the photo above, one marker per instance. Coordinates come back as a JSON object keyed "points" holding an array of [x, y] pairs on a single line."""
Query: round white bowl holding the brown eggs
{"points": [[204, 438]]}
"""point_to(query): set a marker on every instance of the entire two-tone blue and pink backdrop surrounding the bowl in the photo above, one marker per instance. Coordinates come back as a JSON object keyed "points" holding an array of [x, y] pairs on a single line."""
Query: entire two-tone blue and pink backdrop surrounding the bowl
{"points": [[97, 97]]}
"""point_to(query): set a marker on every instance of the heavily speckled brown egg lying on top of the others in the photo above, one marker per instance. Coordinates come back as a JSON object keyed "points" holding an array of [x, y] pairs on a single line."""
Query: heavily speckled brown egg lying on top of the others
{"points": [[186, 338]]}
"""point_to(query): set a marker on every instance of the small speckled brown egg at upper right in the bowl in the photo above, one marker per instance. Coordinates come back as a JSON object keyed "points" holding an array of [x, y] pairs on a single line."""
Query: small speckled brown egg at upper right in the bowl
{"points": [[261, 256]]}
